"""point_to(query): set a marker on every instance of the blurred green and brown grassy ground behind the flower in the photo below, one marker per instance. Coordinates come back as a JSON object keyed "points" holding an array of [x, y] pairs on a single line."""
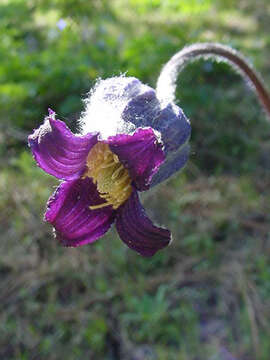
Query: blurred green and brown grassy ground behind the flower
{"points": [[207, 295]]}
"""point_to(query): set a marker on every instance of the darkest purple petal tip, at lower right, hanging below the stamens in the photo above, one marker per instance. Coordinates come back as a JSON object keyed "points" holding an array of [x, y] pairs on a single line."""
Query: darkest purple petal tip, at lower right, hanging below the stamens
{"points": [[137, 230]]}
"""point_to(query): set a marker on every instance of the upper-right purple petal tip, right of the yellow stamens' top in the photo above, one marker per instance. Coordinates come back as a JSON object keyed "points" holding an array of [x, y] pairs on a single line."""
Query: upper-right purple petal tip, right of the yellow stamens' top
{"points": [[140, 153]]}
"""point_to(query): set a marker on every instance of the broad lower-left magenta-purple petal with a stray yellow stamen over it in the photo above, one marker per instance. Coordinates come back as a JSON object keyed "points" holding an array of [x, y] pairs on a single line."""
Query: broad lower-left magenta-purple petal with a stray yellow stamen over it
{"points": [[68, 211]]}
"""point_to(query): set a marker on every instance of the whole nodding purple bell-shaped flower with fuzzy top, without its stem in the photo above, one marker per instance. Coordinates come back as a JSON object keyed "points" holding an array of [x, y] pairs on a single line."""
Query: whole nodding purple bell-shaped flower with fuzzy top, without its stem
{"points": [[129, 141]]}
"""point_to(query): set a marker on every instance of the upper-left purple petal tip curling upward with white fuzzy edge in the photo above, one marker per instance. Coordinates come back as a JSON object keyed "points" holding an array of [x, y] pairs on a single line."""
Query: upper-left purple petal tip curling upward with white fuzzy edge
{"points": [[58, 151]]}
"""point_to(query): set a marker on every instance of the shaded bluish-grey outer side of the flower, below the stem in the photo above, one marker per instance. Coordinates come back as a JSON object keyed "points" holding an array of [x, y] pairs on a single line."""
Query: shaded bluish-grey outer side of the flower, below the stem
{"points": [[170, 122]]}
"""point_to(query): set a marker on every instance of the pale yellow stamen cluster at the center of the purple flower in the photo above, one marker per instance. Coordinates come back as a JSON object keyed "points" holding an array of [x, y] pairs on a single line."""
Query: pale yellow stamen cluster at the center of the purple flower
{"points": [[109, 175]]}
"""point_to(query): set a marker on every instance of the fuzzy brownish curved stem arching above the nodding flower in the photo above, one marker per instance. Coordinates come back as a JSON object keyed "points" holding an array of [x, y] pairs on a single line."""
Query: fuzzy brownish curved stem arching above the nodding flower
{"points": [[166, 84]]}
